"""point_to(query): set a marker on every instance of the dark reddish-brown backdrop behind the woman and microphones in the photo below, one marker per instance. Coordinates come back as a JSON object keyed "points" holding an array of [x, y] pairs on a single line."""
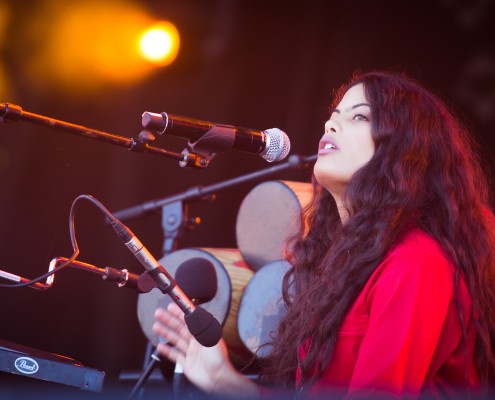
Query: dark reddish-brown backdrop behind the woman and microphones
{"points": [[259, 64]]}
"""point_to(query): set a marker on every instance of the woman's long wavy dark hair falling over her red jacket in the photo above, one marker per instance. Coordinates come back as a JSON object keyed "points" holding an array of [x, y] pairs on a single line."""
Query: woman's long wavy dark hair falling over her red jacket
{"points": [[426, 173]]}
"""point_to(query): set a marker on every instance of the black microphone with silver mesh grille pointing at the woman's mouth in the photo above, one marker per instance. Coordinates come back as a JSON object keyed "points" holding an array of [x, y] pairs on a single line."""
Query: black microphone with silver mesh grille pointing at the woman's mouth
{"points": [[208, 137]]}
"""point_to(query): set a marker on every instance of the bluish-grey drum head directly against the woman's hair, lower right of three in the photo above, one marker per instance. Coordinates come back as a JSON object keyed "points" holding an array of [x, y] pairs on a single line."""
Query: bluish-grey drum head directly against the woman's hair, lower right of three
{"points": [[262, 307]]}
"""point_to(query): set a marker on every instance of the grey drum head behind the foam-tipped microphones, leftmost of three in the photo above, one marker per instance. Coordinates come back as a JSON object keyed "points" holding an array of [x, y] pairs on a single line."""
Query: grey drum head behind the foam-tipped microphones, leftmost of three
{"points": [[219, 306]]}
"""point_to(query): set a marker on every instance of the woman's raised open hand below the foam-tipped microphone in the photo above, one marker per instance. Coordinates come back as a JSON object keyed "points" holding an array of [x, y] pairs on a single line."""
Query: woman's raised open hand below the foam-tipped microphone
{"points": [[208, 368]]}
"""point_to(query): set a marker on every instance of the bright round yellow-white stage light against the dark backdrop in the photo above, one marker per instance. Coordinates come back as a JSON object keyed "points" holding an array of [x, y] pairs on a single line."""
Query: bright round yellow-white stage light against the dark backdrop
{"points": [[160, 43]]}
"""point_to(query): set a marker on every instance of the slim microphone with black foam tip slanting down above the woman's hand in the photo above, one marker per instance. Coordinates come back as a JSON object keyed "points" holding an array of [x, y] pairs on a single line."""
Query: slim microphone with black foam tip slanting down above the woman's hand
{"points": [[202, 325]]}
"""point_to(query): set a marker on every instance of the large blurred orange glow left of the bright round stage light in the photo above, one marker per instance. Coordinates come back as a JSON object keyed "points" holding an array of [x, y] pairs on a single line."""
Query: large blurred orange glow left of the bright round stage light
{"points": [[87, 45]]}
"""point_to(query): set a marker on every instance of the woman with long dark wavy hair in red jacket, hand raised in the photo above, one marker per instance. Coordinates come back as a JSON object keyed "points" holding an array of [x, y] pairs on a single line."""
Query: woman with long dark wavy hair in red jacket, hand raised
{"points": [[392, 290]]}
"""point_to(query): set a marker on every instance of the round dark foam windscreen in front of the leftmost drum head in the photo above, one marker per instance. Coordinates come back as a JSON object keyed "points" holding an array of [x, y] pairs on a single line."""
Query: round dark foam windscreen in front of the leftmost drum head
{"points": [[198, 279]]}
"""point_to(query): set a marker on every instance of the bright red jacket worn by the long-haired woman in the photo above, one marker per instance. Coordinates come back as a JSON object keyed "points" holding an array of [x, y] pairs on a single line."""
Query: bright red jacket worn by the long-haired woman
{"points": [[402, 335]]}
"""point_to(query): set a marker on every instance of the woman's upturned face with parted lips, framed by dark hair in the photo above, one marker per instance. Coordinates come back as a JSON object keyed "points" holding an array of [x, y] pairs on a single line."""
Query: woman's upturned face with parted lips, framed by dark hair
{"points": [[347, 144]]}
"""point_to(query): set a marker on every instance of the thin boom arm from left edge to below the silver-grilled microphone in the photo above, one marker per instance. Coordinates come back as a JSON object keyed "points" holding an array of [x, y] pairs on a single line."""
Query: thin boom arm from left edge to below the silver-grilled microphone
{"points": [[12, 113]]}
